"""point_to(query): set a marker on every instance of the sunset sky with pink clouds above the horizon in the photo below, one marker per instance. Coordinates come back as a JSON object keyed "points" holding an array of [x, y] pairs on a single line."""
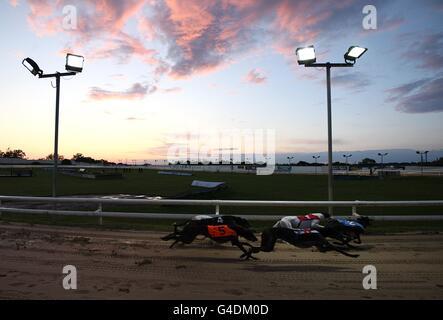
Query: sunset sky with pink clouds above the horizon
{"points": [[157, 72]]}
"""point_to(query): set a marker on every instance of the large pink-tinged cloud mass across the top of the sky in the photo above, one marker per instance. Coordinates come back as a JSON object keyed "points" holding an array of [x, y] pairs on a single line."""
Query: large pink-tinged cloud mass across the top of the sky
{"points": [[198, 36]]}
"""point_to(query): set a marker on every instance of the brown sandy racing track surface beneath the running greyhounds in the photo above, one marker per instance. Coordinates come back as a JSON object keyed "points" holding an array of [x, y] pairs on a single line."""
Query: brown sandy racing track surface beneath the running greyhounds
{"points": [[137, 265]]}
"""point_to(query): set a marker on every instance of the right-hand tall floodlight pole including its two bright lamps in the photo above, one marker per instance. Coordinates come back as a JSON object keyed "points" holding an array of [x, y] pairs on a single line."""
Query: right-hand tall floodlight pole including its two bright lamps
{"points": [[306, 57]]}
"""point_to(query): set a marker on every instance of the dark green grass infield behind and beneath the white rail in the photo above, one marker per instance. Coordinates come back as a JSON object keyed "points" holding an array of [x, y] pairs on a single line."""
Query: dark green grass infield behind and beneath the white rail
{"points": [[240, 186]]}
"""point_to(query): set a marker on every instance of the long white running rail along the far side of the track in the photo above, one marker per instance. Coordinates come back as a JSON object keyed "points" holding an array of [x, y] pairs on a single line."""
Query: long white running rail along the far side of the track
{"points": [[217, 204]]}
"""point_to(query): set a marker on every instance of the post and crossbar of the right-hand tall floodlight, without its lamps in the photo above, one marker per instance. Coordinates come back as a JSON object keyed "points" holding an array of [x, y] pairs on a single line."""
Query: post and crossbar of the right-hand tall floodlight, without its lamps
{"points": [[328, 67]]}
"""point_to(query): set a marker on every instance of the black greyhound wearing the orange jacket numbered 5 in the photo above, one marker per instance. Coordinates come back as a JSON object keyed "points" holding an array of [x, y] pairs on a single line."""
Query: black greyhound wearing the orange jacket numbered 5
{"points": [[221, 229]]}
